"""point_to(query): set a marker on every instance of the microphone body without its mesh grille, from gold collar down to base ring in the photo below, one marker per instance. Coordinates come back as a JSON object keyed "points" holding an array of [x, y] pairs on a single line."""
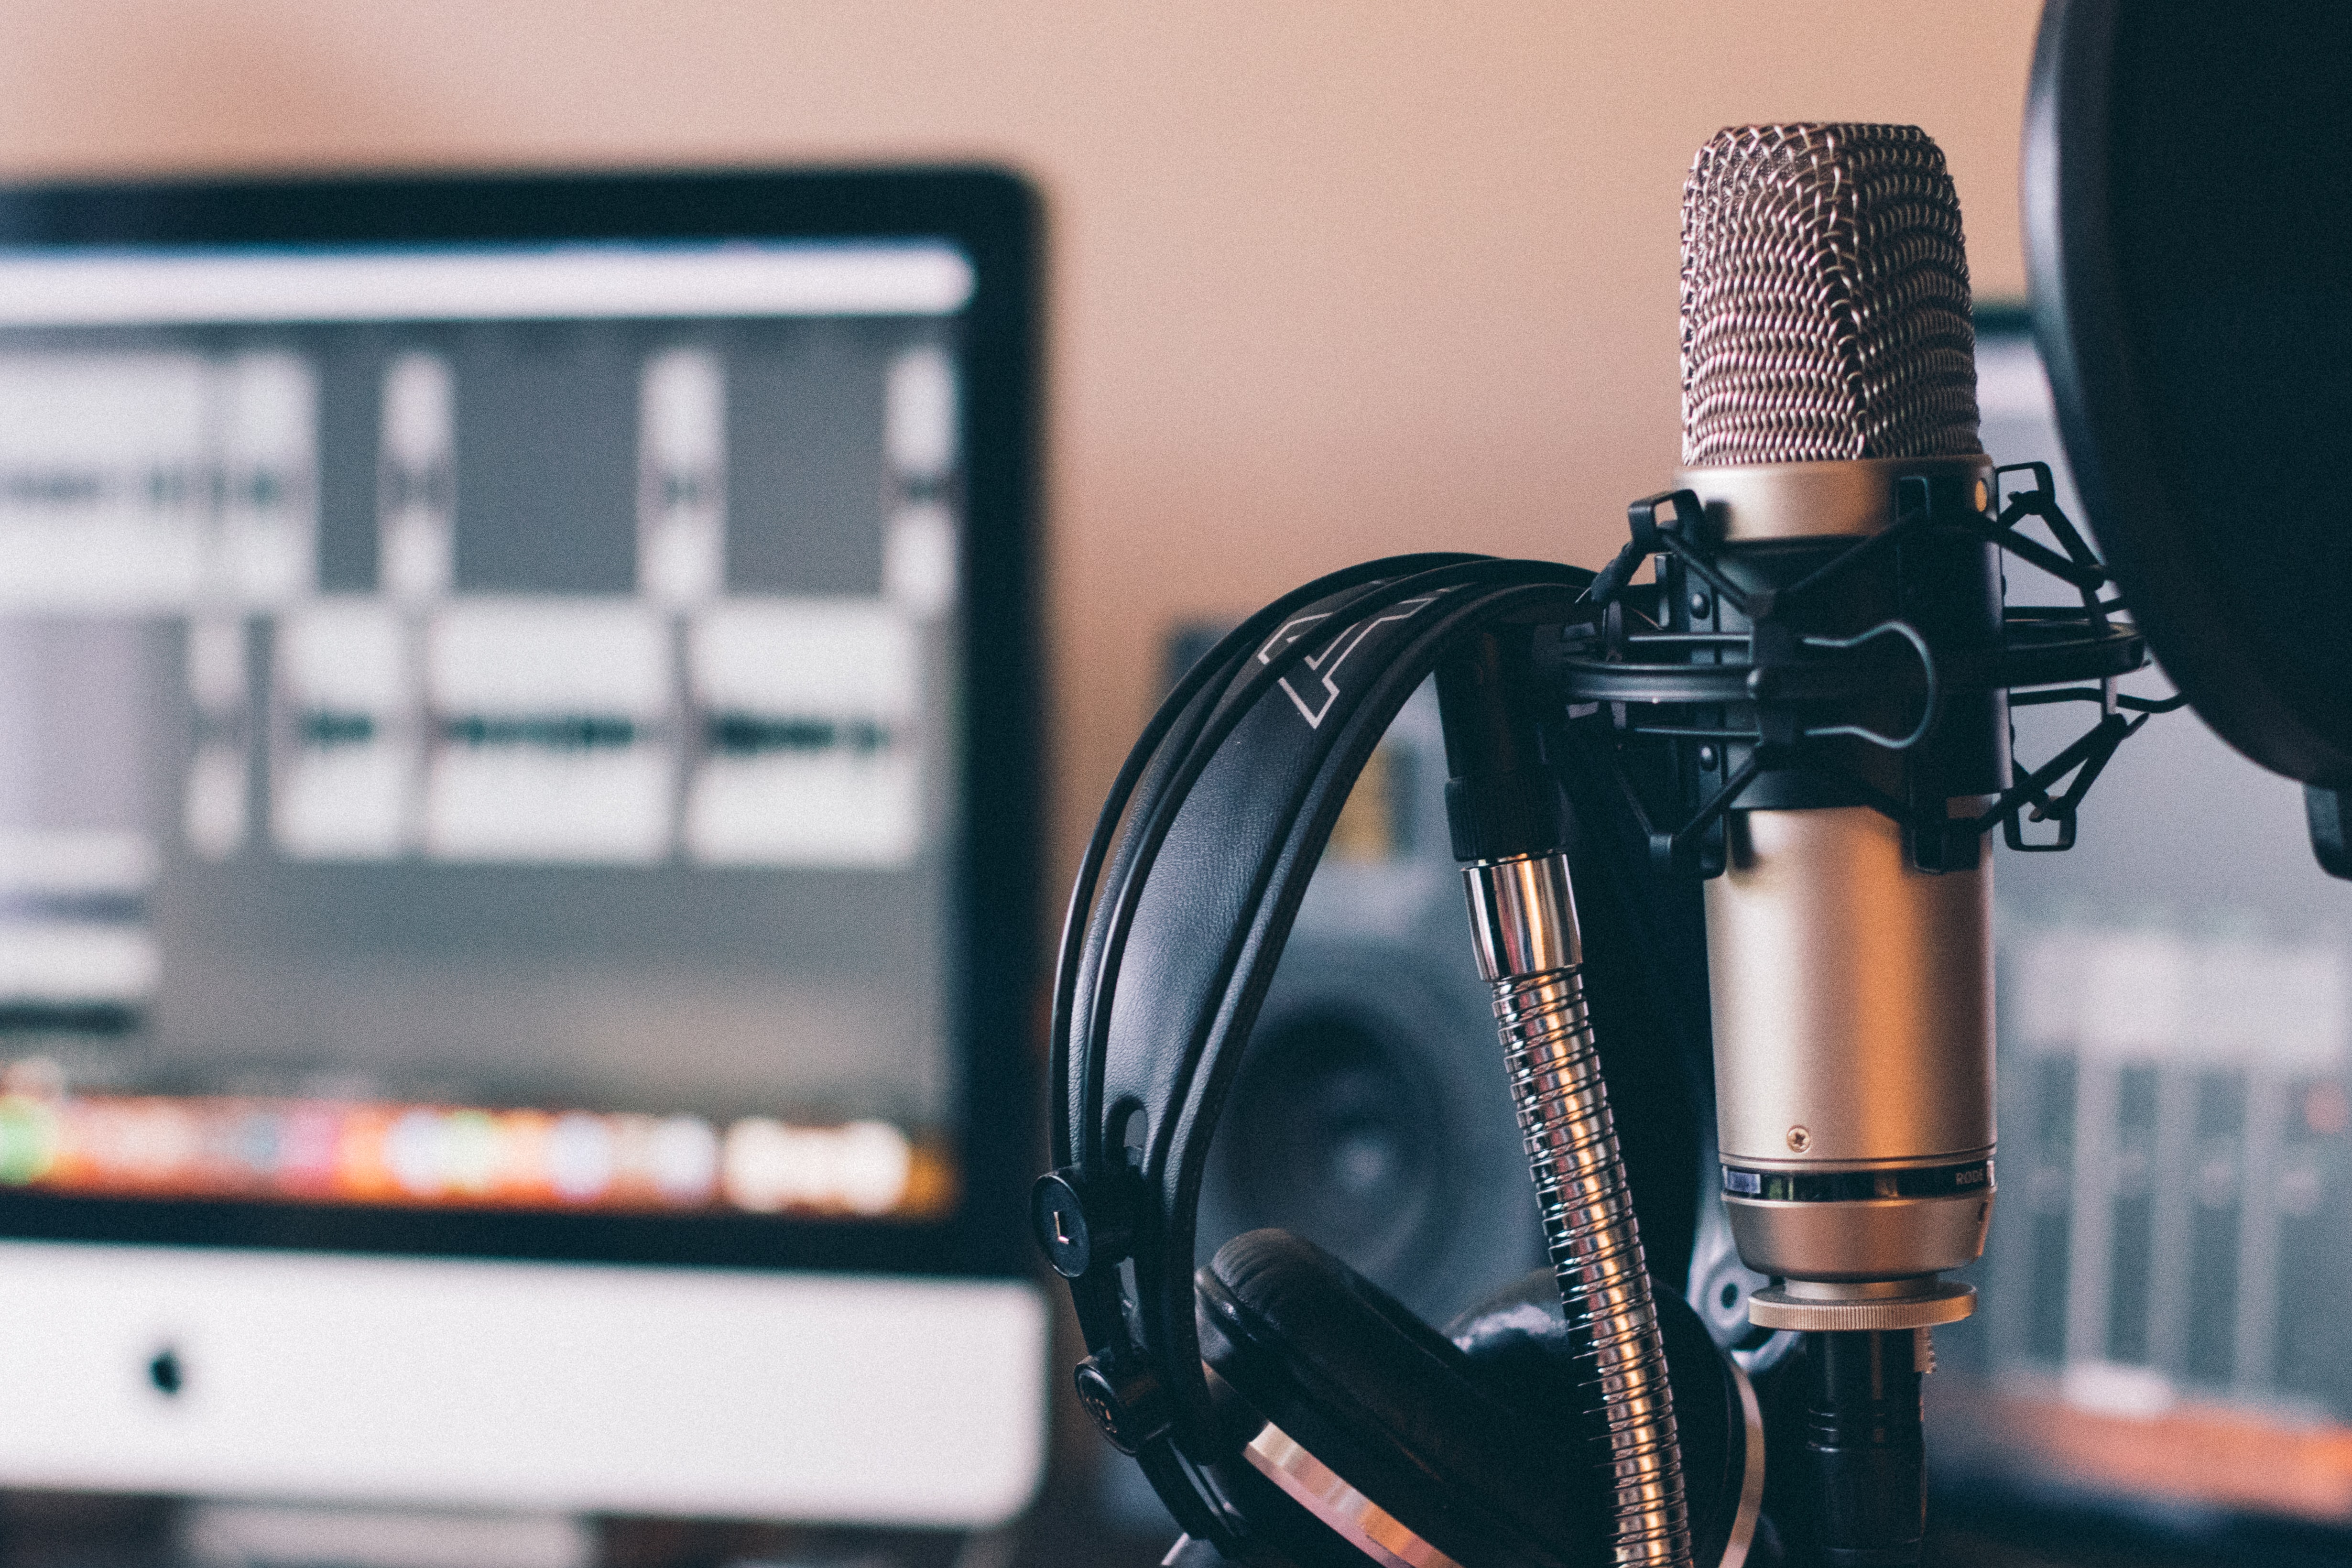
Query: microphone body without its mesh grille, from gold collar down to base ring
{"points": [[1852, 991]]}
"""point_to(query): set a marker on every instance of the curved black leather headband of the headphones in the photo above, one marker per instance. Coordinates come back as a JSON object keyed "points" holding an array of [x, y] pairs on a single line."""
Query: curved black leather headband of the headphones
{"points": [[1212, 833]]}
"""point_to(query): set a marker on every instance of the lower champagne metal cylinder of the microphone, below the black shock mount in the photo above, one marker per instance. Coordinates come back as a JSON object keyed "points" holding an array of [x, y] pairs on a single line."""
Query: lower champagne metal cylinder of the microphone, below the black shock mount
{"points": [[1852, 1038]]}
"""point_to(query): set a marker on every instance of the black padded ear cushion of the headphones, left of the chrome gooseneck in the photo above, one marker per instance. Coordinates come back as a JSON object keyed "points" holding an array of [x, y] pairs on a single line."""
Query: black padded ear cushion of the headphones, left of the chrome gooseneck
{"points": [[1394, 1407]]}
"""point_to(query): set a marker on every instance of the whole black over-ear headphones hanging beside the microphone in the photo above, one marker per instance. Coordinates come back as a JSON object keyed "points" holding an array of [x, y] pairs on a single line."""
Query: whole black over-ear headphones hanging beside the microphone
{"points": [[1285, 1409]]}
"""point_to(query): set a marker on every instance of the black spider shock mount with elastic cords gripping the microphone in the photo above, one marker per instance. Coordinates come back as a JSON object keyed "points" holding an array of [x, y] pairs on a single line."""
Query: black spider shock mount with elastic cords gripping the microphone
{"points": [[1779, 695]]}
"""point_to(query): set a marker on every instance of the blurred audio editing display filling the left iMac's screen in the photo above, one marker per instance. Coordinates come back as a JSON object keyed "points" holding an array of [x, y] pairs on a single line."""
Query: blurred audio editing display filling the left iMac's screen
{"points": [[476, 728]]}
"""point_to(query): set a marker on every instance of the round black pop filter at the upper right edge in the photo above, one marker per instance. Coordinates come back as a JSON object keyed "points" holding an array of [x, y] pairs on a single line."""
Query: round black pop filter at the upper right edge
{"points": [[2189, 227]]}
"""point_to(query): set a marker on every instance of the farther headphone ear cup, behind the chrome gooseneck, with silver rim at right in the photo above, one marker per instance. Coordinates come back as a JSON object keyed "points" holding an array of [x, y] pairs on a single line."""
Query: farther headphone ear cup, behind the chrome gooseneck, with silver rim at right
{"points": [[1518, 1346]]}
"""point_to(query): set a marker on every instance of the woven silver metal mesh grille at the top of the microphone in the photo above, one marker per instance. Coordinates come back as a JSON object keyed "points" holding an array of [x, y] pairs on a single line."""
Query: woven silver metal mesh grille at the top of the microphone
{"points": [[1824, 300]]}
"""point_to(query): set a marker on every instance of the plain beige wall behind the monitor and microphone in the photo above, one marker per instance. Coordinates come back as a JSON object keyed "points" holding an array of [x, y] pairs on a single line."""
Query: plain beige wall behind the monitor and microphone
{"points": [[1330, 279]]}
